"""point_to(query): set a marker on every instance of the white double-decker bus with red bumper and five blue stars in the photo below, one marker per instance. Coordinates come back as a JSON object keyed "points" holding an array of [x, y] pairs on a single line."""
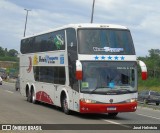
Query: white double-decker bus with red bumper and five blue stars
{"points": [[87, 68]]}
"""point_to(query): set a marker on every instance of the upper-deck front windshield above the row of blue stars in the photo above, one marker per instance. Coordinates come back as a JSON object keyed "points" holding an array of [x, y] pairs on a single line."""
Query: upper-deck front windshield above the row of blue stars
{"points": [[105, 41]]}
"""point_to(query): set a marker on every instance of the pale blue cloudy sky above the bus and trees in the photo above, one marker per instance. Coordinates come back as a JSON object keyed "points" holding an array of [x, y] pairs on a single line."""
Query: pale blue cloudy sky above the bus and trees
{"points": [[142, 17]]}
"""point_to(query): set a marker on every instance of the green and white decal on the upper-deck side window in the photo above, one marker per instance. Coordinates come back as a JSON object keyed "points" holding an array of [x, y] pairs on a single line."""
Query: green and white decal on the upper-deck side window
{"points": [[59, 41]]}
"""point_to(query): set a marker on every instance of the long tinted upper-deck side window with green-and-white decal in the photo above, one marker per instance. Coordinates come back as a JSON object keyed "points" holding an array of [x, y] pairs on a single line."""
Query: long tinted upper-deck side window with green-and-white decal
{"points": [[46, 42]]}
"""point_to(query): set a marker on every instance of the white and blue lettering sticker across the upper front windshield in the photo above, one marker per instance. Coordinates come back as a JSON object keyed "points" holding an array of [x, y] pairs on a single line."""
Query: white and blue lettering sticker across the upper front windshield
{"points": [[108, 49]]}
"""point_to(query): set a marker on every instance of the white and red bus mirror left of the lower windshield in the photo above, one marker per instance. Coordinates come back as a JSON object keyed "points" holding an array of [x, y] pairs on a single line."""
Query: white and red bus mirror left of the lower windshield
{"points": [[78, 70]]}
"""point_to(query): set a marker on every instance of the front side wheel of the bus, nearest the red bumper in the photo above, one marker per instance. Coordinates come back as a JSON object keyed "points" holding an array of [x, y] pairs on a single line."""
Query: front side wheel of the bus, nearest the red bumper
{"points": [[65, 105]]}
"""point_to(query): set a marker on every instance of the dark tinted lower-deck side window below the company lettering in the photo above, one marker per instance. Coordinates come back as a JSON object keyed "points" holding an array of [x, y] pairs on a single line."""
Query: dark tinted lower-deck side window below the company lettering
{"points": [[50, 74]]}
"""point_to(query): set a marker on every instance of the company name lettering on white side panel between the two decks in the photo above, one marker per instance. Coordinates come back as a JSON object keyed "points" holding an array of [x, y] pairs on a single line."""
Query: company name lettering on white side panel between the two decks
{"points": [[48, 59]]}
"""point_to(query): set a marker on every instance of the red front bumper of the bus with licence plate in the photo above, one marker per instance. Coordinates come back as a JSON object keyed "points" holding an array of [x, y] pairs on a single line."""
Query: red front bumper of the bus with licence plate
{"points": [[107, 108]]}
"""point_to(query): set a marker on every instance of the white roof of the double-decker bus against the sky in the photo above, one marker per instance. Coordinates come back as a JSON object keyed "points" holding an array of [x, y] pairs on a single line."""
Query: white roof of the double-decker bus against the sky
{"points": [[83, 25]]}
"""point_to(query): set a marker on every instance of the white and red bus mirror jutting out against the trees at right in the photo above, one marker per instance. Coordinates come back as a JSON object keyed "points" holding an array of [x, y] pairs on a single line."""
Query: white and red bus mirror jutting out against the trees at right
{"points": [[143, 70]]}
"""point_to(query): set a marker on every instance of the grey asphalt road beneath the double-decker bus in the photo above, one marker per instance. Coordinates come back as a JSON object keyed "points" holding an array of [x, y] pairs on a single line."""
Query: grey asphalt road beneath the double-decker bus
{"points": [[14, 109]]}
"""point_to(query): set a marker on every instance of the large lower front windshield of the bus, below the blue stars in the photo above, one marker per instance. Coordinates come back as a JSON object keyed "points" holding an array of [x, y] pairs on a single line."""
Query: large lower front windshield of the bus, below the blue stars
{"points": [[109, 77]]}
